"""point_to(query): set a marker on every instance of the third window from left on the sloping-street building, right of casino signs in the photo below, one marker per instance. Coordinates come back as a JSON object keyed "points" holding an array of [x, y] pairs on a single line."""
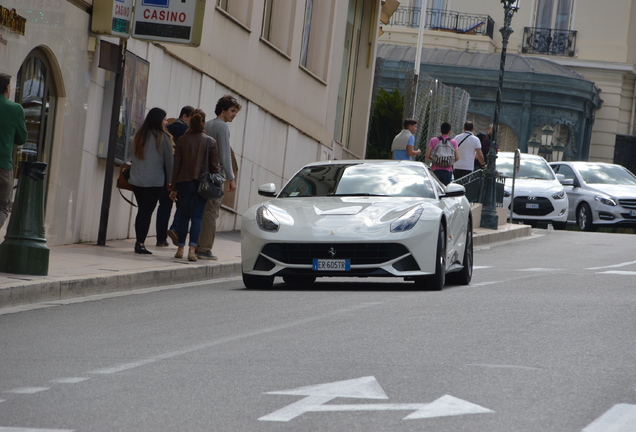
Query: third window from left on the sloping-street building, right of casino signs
{"points": [[316, 41]]}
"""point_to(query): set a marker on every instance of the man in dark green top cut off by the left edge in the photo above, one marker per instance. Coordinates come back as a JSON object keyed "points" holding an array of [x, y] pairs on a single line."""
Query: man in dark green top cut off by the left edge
{"points": [[12, 132]]}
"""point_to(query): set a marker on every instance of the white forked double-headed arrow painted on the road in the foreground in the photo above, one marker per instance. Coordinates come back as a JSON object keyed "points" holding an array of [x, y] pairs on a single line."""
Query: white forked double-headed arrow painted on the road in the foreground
{"points": [[365, 388]]}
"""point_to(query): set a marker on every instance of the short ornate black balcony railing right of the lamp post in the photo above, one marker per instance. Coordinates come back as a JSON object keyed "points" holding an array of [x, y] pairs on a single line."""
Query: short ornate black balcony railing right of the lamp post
{"points": [[548, 41]]}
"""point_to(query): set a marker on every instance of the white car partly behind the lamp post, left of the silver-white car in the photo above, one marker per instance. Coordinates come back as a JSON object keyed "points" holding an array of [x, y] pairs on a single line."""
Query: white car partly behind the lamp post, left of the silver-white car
{"points": [[539, 196]]}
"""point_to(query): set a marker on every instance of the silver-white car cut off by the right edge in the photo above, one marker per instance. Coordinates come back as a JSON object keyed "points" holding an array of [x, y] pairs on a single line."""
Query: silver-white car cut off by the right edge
{"points": [[600, 194]]}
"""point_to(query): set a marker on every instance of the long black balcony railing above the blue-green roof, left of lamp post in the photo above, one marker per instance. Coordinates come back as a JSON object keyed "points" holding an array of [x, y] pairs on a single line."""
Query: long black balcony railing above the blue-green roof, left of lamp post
{"points": [[435, 19]]}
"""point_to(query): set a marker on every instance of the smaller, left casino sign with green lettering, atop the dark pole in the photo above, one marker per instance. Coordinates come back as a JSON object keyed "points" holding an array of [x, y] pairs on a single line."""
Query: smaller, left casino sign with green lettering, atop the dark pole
{"points": [[112, 17]]}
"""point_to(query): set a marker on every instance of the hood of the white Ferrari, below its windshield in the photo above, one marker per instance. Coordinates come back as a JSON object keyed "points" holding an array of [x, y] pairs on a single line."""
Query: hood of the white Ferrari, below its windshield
{"points": [[361, 212]]}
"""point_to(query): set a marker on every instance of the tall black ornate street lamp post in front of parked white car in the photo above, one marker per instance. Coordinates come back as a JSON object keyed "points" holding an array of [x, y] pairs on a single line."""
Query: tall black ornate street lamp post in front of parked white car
{"points": [[489, 218]]}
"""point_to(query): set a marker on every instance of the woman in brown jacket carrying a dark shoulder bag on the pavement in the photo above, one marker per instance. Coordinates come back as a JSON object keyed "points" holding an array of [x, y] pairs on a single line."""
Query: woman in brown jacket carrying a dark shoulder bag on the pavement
{"points": [[195, 153]]}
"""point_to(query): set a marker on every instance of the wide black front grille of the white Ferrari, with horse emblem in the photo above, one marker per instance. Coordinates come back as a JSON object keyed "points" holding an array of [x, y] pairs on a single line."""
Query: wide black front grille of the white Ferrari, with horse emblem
{"points": [[358, 253]]}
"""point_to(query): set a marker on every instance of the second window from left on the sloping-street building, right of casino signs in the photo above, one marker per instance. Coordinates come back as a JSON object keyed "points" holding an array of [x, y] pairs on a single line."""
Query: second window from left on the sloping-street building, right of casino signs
{"points": [[278, 24]]}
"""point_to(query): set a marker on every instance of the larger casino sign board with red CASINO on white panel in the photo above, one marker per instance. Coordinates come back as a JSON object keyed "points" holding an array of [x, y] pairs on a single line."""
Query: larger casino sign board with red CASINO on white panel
{"points": [[174, 21]]}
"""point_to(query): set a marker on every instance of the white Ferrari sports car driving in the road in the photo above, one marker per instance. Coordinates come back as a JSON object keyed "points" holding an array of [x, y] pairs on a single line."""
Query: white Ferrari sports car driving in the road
{"points": [[359, 218]]}
